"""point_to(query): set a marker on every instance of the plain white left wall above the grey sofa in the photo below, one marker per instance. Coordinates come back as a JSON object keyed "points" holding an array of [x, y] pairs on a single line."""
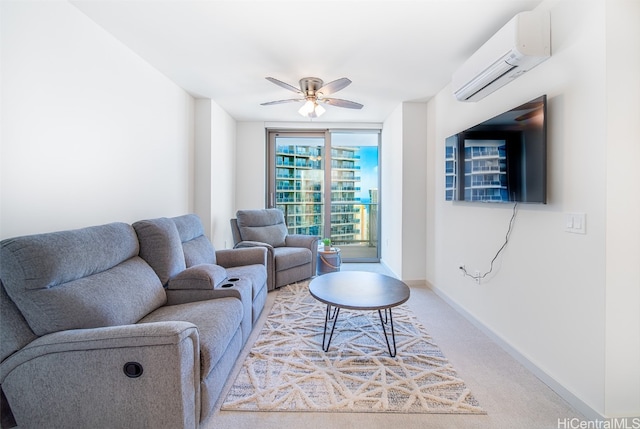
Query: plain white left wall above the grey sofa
{"points": [[90, 132]]}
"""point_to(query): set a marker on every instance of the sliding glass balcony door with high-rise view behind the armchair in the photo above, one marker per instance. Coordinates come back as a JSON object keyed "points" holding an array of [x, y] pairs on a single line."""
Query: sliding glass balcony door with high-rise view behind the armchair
{"points": [[326, 183]]}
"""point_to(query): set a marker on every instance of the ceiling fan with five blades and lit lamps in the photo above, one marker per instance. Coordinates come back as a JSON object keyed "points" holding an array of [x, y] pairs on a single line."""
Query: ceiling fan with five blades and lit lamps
{"points": [[313, 91]]}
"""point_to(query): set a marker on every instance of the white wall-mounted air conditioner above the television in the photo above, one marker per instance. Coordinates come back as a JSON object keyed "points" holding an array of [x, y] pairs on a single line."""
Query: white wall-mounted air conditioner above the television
{"points": [[523, 43]]}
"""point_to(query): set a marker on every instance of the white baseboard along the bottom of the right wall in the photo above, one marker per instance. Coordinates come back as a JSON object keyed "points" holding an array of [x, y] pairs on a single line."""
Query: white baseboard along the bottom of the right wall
{"points": [[588, 412]]}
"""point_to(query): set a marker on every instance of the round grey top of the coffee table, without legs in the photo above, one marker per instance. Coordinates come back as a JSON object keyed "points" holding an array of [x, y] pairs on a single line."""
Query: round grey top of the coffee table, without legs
{"points": [[359, 290]]}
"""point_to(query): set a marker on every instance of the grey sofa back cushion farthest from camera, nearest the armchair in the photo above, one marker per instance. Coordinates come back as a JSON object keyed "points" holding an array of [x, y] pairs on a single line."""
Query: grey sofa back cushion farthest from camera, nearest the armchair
{"points": [[196, 246]]}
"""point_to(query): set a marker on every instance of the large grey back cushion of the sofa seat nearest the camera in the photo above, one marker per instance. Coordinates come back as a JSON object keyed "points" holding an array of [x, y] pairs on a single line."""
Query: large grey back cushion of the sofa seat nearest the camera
{"points": [[78, 279]]}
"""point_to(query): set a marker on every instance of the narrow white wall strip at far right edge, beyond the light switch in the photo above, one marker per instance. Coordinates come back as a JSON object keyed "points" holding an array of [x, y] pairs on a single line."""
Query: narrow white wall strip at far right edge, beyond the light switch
{"points": [[622, 390]]}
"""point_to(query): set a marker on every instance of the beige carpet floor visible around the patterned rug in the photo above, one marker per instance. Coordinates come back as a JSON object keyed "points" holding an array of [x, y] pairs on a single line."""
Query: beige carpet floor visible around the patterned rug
{"points": [[511, 395]]}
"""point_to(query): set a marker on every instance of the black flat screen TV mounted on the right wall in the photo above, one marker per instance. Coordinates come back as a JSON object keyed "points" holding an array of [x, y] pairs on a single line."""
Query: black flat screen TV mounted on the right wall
{"points": [[503, 159]]}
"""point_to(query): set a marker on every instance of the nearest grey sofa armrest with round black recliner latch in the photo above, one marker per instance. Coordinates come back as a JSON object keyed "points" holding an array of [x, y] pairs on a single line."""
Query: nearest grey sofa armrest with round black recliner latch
{"points": [[78, 378]]}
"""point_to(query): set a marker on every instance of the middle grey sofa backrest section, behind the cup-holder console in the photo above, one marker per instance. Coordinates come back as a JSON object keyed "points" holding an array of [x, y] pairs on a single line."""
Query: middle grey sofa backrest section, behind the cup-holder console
{"points": [[161, 247]]}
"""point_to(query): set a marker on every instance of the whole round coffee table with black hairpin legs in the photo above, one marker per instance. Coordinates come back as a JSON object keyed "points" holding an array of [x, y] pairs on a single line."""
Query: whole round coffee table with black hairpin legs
{"points": [[356, 290]]}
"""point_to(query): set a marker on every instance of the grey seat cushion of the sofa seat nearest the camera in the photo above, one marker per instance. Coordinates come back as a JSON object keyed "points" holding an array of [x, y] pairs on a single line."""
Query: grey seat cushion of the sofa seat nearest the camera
{"points": [[217, 320]]}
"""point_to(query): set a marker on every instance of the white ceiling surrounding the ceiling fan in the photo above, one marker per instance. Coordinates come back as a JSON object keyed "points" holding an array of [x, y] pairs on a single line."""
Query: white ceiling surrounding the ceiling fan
{"points": [[393, 51]]}
